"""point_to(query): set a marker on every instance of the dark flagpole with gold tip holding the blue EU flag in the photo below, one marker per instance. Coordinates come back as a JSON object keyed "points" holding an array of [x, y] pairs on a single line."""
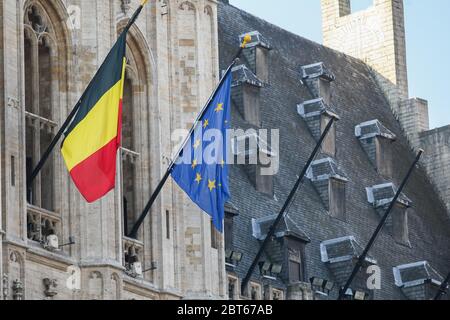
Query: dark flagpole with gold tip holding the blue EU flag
{"points": [[146, 211]]}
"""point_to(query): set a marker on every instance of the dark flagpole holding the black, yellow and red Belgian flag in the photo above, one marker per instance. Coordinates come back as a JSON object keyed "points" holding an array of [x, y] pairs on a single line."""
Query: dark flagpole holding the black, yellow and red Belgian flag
{"points": [[72, 114]]}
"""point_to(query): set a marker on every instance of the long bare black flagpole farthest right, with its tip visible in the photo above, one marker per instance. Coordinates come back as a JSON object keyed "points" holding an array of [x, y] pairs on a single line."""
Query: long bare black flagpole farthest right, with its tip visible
{"points": [[363, 256]]}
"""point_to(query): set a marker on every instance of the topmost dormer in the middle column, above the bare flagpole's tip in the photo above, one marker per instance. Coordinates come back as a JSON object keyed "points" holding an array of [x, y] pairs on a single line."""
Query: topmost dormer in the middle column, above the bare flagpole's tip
{"points": [[318, 80]]}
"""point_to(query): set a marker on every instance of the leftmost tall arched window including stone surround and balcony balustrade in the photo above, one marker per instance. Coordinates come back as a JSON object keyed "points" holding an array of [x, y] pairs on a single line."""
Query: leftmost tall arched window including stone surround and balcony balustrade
{"points": [[45, 84]]}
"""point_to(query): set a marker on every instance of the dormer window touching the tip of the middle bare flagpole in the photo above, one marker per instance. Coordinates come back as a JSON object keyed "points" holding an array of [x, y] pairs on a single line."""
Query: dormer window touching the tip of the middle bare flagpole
{"points": [[317, 115]]}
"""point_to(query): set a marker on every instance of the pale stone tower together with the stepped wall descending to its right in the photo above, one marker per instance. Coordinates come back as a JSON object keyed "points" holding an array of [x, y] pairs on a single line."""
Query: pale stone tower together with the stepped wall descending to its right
{"points": [[377, 36]]}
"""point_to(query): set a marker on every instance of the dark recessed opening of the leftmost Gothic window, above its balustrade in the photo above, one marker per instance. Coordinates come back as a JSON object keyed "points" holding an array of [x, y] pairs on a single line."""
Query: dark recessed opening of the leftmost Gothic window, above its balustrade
{"points": [[40, 78]]}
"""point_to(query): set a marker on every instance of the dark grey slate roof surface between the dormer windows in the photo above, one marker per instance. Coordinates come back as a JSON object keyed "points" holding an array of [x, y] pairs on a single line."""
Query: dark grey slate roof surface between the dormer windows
{"points": [[357, 99]]}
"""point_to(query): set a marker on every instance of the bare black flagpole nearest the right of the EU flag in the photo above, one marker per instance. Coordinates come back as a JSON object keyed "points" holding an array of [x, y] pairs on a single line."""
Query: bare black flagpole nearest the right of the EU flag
{"points": [[285, 206]]}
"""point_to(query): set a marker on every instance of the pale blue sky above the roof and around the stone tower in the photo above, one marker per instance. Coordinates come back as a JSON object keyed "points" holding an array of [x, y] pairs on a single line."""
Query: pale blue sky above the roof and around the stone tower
{"points": [[427, 40]]}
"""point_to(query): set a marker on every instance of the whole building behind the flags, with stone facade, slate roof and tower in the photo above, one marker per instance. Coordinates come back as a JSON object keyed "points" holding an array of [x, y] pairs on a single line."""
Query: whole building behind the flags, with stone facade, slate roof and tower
{"points": [[56, 246]]}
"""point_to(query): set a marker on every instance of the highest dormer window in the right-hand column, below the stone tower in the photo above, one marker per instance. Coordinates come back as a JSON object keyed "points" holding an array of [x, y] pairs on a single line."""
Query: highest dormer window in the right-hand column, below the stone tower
{"points": [[376, 141]]}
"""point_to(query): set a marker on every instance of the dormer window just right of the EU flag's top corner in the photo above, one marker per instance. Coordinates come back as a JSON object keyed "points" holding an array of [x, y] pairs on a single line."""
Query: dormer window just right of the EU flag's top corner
{"points": [[246, 94]]}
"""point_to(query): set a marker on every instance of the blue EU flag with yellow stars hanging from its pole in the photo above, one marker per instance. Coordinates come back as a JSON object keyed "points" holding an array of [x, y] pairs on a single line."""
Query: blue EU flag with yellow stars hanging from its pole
{"points": [[201, 169]]}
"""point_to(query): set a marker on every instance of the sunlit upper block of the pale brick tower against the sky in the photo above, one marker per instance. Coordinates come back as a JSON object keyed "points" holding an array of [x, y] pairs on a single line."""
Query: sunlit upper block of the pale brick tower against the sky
{"points": [[376, 36]]}
